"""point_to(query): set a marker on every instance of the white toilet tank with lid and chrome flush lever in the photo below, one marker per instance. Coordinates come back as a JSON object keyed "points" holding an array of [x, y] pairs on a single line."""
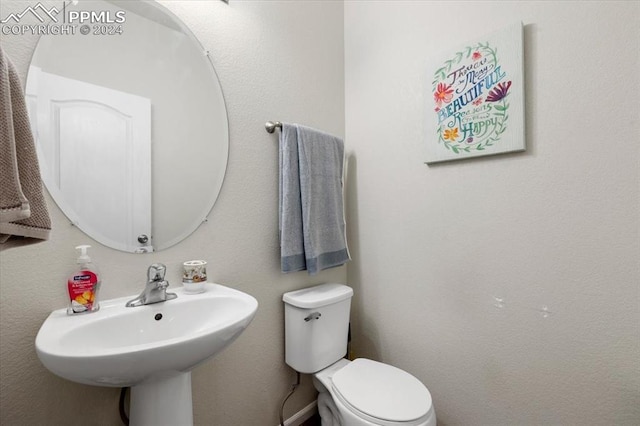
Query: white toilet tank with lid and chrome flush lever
{"points": [[316, 323]]}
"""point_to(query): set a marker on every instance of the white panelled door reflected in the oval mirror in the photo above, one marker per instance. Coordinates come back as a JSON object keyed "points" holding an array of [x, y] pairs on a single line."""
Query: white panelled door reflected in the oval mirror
{"points": [[95, 141]]}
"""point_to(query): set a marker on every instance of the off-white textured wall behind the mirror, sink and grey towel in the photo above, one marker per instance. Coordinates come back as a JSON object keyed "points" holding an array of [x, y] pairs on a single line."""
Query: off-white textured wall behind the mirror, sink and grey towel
{"points": [[266, 74]]}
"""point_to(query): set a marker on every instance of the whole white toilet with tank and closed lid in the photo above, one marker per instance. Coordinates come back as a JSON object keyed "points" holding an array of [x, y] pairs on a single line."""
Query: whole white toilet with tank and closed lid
{"points": [[352, 393]]}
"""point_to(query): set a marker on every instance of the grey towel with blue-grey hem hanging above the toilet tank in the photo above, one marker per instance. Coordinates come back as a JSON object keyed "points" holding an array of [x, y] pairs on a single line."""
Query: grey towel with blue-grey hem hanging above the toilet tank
{"points": [[312, 224]]}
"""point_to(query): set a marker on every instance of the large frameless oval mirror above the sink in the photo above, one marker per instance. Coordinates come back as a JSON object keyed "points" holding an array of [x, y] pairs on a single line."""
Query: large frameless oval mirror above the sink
{"points": [[130, 123]]}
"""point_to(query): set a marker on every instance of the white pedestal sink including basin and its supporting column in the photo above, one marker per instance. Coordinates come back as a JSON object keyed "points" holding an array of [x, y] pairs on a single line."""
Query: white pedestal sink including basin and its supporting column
{"points": [[150, 348]]}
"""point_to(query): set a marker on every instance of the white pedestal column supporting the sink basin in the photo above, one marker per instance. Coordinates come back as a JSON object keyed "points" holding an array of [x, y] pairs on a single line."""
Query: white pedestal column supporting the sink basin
{"points": [[164, 399]]}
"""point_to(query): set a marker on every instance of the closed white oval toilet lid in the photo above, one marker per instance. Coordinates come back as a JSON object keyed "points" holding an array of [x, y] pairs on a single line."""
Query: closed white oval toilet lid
{"points": [[382, 391]]}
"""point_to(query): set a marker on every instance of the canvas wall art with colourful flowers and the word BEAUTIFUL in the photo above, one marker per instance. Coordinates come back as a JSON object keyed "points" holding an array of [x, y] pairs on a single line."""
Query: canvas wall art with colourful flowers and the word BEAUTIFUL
{"points": [[476, 103]]}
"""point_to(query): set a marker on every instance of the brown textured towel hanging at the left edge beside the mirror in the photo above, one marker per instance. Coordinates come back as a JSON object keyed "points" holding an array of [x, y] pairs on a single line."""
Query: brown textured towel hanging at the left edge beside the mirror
{"points": [[24, 218]]}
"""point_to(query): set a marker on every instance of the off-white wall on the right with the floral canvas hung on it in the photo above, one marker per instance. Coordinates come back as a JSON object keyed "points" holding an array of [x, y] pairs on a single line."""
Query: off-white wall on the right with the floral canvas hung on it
{"points": [[557, 226]]}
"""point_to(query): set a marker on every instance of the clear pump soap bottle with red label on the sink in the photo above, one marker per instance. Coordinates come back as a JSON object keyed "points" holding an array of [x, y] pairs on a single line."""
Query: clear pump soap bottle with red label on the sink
{"points": [[83, 285]]}
